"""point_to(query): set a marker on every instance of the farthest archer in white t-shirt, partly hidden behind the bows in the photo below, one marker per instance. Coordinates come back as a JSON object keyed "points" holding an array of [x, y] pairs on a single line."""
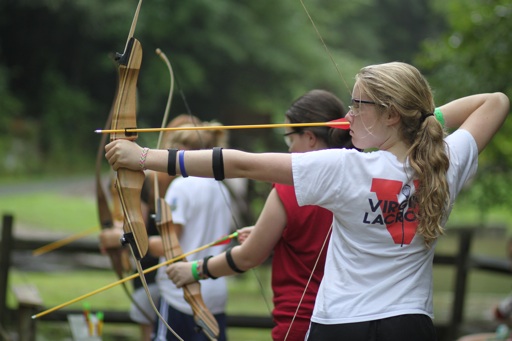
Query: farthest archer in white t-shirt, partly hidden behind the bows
{"points": [[200, 214]]}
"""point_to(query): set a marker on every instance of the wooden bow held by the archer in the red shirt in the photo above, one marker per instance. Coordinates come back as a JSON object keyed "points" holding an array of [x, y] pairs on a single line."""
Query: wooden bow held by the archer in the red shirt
{"points": [[203, 318]]}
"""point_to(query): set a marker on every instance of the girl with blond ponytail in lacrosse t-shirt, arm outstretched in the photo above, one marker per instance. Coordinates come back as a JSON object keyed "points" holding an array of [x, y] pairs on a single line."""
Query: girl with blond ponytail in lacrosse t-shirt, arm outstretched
{"points": [[390, 205]]}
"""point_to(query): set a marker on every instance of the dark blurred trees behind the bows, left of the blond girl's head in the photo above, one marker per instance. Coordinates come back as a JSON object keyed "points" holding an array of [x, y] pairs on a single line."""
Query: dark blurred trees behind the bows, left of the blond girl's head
{"points": [[237, 62]]}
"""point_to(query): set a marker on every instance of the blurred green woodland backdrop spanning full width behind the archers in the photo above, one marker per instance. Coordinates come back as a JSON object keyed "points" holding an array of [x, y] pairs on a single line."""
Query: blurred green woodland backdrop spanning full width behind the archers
{"points": [[238, 62]]}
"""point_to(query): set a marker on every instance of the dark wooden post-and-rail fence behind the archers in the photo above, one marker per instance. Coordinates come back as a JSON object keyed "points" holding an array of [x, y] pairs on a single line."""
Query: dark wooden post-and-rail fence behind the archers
{"points": [[28, 302]]}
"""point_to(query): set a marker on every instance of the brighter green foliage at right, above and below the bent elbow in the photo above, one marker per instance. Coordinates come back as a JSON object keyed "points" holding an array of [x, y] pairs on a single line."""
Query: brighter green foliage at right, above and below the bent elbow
{"points": [[473, 56]]}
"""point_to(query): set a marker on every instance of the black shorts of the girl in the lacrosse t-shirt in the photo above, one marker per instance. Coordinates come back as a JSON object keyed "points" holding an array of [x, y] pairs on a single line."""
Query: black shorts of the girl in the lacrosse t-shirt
{"points": [[417, 327]]}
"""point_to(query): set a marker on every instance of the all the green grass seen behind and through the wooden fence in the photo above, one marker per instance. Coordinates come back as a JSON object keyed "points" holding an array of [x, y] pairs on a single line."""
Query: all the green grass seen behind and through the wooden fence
{"points": [[47, 208]]}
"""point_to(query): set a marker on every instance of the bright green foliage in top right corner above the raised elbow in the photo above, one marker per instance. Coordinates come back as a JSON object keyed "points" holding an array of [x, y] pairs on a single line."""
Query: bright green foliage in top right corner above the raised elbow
{"points": [[473, 55]]}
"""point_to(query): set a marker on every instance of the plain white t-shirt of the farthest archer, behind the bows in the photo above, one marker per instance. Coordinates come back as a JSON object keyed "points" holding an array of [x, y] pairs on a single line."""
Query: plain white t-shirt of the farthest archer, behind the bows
{"points": [[202, 206]]}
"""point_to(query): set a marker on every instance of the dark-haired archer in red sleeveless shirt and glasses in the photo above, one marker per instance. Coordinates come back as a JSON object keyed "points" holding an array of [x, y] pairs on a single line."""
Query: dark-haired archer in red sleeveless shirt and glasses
{"points": [[297, 236]]}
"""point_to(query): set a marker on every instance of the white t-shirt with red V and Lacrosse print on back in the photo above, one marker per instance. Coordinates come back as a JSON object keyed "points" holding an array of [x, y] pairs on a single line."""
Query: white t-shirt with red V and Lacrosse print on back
{"points": [[376, 265]]}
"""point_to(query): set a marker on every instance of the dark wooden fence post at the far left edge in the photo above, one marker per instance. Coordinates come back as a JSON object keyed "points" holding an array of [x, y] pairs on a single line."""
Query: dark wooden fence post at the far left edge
{"points": [[5, 263]]}
